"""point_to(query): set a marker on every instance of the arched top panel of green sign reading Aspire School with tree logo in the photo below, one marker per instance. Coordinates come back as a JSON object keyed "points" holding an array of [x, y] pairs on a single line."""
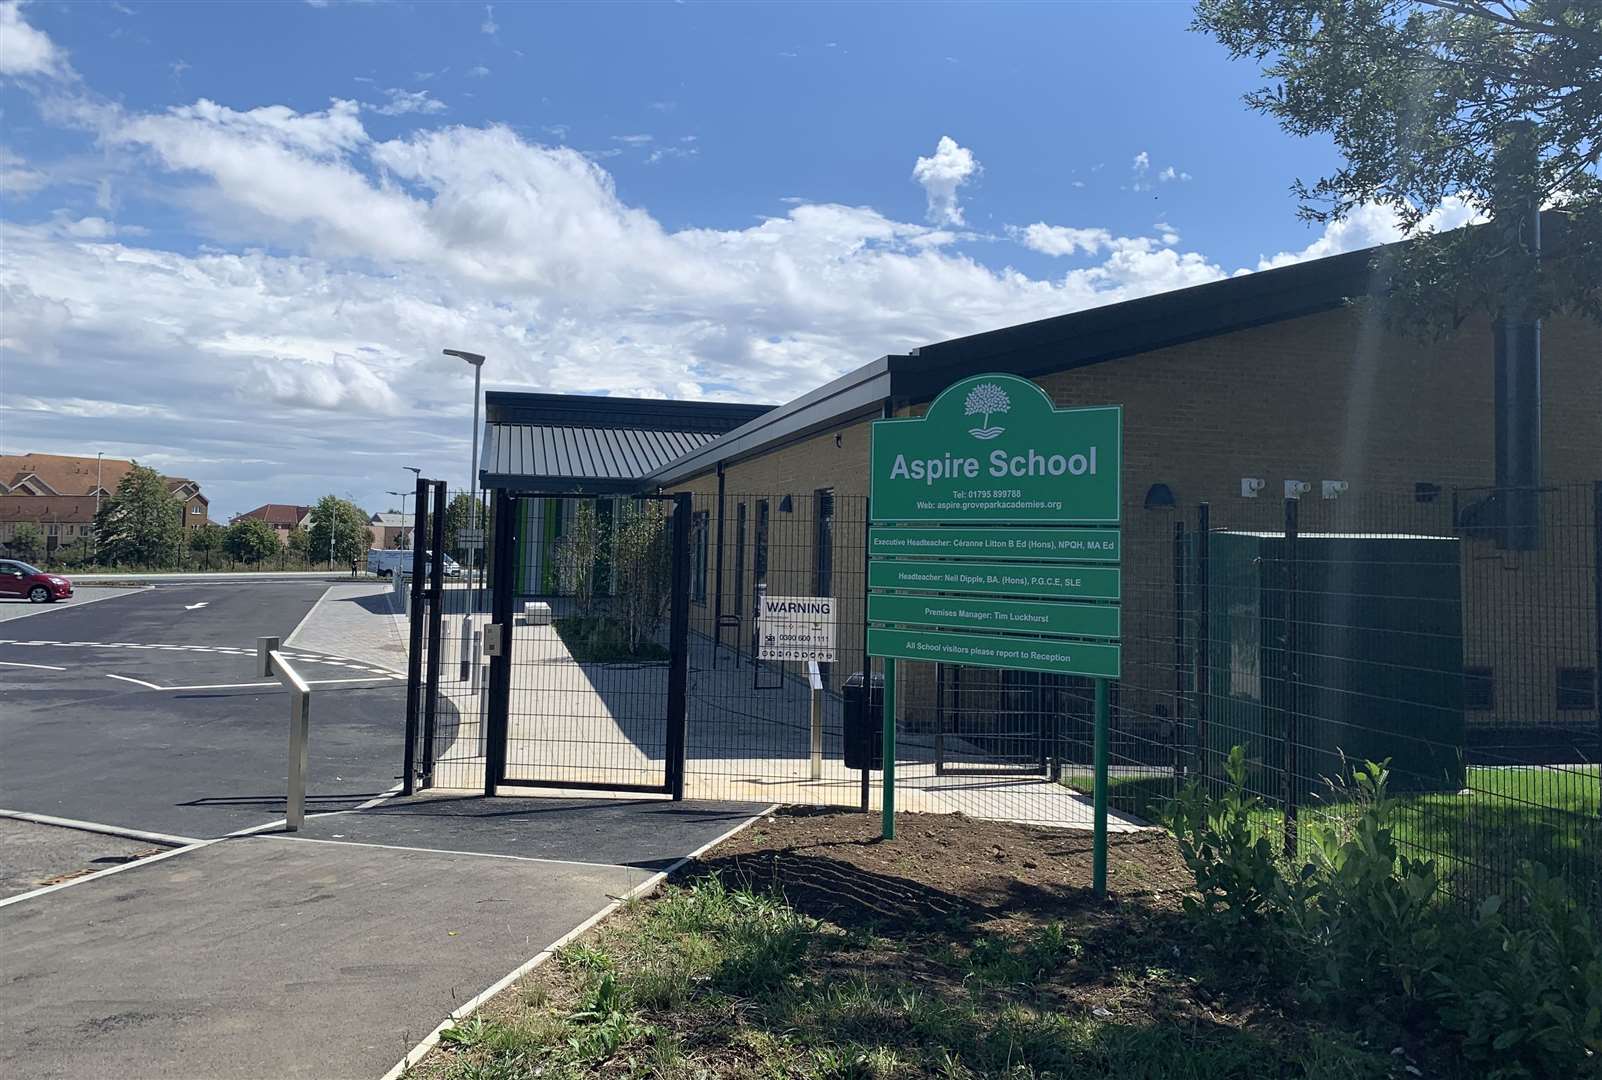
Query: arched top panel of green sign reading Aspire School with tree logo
{"points": [[996, 449]]}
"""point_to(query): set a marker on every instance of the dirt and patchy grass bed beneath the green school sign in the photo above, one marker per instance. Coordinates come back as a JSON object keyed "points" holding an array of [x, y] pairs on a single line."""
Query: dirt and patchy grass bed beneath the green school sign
{"points": [[807, 948]]}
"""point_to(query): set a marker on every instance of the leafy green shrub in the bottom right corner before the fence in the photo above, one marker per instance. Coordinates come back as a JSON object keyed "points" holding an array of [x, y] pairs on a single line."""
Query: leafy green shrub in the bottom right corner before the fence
{"points": [[1367, 932]]}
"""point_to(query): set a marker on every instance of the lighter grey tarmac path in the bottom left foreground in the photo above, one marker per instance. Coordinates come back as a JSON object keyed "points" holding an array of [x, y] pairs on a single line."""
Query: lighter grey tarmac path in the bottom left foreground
{"points": [[272, 957]]}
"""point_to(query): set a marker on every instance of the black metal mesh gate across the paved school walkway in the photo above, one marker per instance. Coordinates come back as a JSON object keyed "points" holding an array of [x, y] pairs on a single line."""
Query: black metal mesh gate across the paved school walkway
{"points": [[589, 642]]}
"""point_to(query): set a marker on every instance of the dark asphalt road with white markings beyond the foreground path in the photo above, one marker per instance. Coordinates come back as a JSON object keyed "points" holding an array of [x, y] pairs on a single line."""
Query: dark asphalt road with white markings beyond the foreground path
{"points": [[86, 736]]}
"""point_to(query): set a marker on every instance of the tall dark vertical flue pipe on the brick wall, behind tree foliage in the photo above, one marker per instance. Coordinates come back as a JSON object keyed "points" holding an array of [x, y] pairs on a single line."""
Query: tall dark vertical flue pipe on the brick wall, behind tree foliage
{"points": [[1518, 352]]}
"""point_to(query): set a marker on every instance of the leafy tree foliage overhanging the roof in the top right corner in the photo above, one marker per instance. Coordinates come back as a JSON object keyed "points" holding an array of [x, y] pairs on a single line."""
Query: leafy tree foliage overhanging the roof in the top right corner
{"points": [[1495, 103]]}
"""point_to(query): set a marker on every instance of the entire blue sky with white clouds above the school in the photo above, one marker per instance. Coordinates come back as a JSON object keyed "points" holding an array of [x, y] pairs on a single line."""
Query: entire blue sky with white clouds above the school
{"points": [[238, 236]]}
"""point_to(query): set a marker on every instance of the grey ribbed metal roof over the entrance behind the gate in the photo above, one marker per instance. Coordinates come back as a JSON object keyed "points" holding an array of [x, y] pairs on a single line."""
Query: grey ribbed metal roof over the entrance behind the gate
{"points": [[587, 445]]}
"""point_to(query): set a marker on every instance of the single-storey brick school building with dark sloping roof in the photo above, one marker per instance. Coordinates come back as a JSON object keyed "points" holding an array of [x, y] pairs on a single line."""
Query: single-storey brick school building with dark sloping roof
{"points": [[1238, 395]]}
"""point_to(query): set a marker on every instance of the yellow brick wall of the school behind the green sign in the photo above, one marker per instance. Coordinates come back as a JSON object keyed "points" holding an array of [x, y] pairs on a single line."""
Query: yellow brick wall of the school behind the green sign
{"points": [[1326, 397]]}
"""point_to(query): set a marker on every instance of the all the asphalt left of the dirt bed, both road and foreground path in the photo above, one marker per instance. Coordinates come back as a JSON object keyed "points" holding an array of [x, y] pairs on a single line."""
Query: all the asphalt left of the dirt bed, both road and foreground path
{"points": [[142, 714]]}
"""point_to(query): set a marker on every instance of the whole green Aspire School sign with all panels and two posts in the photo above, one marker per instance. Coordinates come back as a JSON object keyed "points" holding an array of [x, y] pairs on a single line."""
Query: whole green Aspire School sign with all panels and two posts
{"points": [[996, 544]]}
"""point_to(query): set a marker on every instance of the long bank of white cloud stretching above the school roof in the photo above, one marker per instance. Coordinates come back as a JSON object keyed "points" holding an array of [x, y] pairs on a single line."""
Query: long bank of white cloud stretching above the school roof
{"points": [[332, 267]]}
